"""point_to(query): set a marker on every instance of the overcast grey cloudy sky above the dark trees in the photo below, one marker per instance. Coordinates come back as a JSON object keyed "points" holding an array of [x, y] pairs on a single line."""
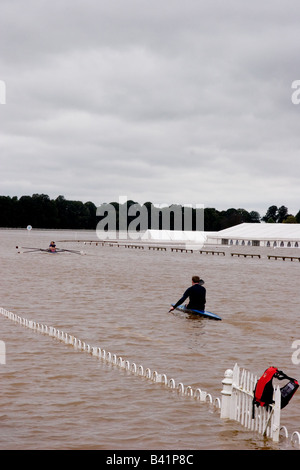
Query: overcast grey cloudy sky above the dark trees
{"points": [[168, 101]]}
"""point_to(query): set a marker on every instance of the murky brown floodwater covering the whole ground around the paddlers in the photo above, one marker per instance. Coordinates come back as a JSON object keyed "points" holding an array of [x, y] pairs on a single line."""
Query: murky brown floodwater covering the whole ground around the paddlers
{"points": [[56, 397]]}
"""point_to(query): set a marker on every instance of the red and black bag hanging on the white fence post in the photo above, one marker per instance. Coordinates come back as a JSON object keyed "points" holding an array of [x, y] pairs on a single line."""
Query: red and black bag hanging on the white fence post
{"points": [[263, 392]]}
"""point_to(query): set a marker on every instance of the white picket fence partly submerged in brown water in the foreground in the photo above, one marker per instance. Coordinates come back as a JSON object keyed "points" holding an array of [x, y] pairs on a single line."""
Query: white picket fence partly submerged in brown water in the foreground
{"points": [[237, 393]]}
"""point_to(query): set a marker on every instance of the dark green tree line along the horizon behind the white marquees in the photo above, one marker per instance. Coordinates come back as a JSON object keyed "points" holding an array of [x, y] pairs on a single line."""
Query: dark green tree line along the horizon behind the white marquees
{"points": [[40, 211]]}
